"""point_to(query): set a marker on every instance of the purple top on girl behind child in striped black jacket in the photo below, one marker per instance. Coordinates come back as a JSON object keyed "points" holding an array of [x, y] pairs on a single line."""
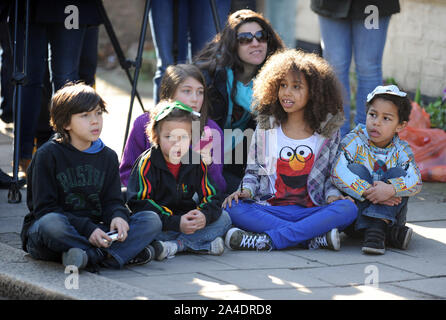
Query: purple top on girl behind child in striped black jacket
{"points": [[138, 142]]}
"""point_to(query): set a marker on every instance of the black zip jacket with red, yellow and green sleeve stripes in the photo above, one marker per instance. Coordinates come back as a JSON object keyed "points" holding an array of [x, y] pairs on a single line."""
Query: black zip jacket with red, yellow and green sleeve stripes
{"points": [[153, 187]]}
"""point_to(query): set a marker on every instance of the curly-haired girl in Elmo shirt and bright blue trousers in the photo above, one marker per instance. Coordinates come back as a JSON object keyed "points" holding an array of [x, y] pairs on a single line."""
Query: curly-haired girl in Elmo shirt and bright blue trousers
{"points": [[286, 198]]}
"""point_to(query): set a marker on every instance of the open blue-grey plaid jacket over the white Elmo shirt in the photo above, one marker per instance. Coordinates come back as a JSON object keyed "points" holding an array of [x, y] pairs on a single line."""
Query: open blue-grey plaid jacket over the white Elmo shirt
{"points": [[263, 155]]}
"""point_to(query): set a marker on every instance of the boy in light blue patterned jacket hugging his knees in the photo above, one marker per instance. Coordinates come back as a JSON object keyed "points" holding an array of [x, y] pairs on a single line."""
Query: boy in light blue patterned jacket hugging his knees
{"points": [[378, 169]]}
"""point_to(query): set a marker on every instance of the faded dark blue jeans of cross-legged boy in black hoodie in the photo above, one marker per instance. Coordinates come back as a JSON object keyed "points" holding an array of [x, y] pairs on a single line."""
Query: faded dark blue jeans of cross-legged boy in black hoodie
{"points": [[52, 234]]}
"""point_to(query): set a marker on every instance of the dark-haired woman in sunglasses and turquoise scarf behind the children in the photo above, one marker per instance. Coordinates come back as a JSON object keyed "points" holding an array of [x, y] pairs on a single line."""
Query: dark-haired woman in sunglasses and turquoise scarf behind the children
{"points": [[229, 63]]}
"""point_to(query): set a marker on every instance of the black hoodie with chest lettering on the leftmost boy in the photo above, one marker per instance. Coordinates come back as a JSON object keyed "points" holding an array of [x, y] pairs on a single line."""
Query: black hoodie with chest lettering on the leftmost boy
{"points": [[85, 187]]}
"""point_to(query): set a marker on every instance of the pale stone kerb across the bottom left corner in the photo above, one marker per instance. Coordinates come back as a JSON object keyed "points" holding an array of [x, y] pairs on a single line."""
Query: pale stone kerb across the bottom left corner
{"points": [[25, 278]]}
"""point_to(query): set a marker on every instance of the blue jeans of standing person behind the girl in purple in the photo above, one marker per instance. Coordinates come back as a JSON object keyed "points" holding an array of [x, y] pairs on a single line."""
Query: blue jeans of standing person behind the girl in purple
{"points": [[195, 22]]}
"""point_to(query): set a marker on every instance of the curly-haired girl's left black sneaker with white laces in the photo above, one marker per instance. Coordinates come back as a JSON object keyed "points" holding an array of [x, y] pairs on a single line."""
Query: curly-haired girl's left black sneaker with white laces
{"points": [[238, 239]]}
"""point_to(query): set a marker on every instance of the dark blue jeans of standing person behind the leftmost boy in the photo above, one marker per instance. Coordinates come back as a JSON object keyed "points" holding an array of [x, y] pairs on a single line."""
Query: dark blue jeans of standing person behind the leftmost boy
{"points": [[65, 49]]}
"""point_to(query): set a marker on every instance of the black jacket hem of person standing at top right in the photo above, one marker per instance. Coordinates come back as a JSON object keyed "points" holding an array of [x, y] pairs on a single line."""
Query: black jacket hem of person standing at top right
{"points": [[353, 9]]}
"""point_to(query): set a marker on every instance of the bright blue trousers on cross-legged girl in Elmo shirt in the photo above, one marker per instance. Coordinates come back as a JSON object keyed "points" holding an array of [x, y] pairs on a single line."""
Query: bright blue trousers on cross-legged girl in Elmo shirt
{"points": [[293, 225]]}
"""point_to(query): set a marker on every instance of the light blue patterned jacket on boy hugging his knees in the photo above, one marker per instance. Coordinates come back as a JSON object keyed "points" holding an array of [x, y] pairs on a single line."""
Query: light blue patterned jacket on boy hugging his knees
{"points": [[355, 148]]}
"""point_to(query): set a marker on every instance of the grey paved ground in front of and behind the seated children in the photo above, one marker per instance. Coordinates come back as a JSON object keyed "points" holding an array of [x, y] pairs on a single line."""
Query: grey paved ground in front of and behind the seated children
{"points": [[418, 273]]}
